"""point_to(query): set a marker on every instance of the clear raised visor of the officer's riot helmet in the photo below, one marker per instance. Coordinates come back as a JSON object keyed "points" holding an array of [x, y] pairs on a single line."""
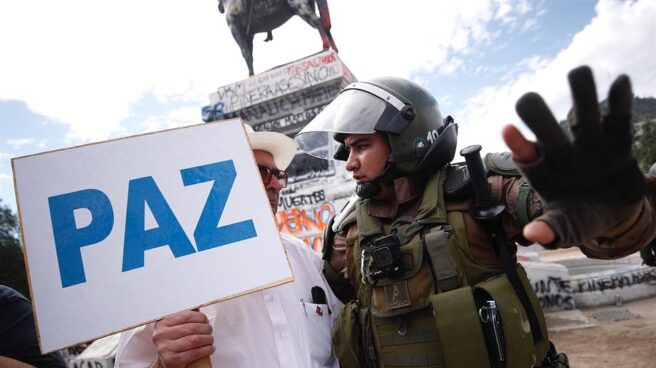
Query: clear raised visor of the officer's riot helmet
{"points": [[353, 111]]}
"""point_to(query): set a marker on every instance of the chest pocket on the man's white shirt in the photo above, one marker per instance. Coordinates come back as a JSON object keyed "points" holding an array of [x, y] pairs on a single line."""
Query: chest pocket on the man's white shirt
{"points": [[316, 322]]}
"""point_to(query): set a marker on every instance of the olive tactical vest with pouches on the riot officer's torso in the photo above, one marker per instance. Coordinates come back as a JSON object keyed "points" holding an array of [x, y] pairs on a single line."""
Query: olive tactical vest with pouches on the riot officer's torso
{"points": [[434, 310]]}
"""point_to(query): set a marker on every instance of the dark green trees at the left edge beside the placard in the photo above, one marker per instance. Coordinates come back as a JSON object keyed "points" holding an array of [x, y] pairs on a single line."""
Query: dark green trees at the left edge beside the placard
{"points": [[12, 266]]}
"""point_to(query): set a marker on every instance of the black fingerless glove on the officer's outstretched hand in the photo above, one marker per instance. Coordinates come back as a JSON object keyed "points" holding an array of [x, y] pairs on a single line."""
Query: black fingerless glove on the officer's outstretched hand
{"points": [[592, 184]]}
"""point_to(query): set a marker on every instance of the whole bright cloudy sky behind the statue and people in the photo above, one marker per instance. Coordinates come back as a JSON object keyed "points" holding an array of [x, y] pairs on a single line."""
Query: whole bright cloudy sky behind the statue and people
{"points": [[74, 72]]}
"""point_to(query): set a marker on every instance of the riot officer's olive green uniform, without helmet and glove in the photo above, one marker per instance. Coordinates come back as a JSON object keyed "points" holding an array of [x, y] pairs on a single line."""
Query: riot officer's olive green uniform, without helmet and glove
{"points": [[397, 322]]}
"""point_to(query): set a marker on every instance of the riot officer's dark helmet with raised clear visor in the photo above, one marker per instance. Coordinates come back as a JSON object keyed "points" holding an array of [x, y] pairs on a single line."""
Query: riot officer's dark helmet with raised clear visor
{"points": [[420, 139]]}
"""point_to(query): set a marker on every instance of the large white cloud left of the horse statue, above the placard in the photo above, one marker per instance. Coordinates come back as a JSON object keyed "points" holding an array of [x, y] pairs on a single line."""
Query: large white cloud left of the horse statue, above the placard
{"points": [[84, 64]]}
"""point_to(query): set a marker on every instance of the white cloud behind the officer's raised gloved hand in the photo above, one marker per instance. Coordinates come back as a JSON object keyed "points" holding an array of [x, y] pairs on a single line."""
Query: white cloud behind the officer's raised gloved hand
{"points": [[619, 39]]}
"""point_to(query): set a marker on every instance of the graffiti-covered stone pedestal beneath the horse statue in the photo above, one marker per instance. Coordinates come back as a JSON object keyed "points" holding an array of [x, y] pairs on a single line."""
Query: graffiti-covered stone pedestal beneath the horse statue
{"points": [[284, 99]]}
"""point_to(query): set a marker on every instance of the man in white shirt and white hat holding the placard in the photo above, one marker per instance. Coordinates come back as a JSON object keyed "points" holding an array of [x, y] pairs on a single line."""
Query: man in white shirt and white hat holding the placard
{"points": [[283, 326]]}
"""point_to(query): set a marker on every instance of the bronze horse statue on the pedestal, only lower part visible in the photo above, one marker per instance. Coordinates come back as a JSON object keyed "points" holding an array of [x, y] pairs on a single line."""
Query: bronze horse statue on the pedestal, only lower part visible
{"points": [[248, 17]]}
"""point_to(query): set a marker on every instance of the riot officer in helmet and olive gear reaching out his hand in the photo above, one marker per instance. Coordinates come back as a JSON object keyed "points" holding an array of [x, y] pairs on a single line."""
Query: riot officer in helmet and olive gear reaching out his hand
{"points": [[428, 278]]}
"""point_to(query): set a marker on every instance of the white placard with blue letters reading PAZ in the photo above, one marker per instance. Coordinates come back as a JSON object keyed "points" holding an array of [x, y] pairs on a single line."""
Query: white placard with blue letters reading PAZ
{"points": [[124, 232]]}
